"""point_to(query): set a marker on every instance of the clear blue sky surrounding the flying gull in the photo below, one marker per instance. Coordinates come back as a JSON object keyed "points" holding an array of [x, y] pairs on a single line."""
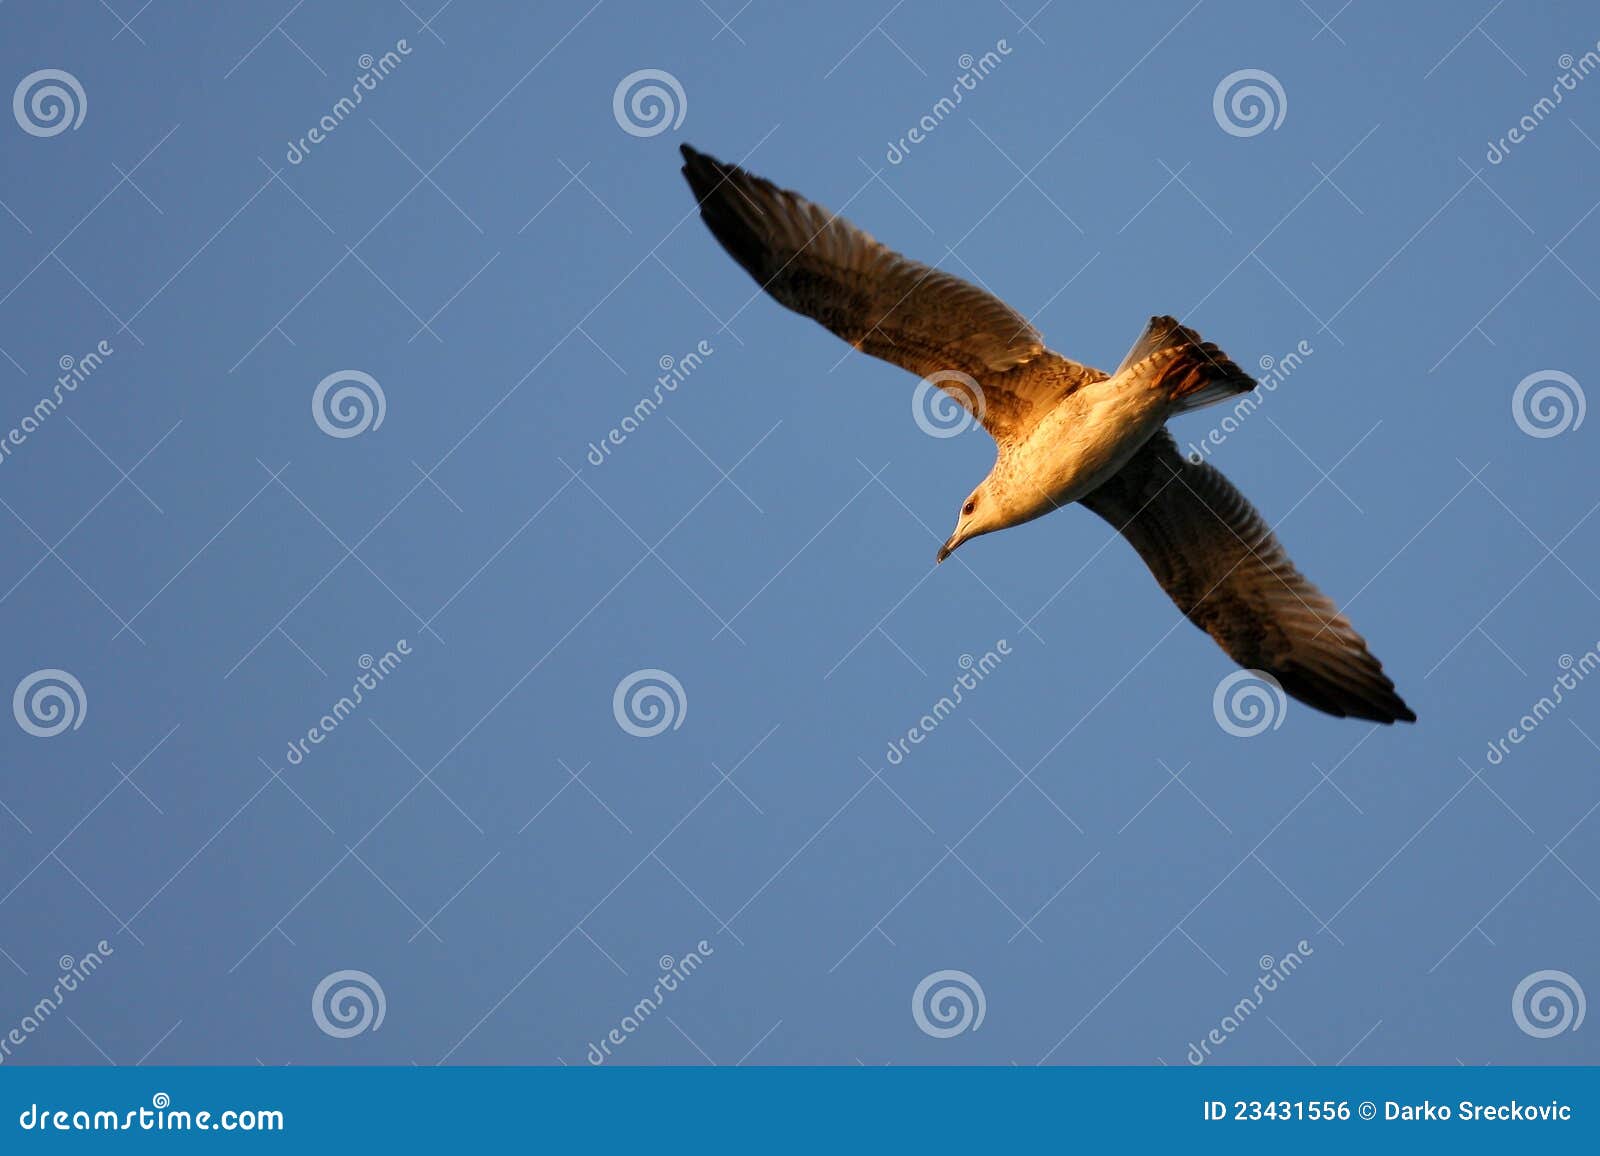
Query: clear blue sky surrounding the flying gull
{"points": [[510, 268]]}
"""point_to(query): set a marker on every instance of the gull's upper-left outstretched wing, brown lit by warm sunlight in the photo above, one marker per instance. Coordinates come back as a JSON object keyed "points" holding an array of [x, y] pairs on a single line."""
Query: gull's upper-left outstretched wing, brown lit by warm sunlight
{"points": [[882, 303]]}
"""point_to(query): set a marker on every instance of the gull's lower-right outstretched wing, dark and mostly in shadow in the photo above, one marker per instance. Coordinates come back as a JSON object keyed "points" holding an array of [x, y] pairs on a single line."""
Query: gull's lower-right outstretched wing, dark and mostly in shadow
{"points": [[1220, 563]]}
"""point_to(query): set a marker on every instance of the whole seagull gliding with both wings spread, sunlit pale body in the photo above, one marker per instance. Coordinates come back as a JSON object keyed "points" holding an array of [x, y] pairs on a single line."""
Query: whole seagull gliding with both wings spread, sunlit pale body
{"points": [[1063, 431]]}
